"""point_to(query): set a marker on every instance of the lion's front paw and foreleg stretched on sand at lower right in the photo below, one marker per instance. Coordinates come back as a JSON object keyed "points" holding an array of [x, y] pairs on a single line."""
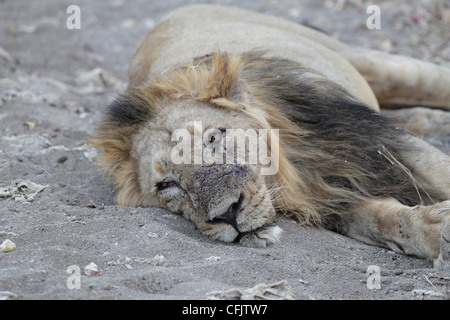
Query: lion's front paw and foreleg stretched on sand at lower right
{"points": [[423, 231]]}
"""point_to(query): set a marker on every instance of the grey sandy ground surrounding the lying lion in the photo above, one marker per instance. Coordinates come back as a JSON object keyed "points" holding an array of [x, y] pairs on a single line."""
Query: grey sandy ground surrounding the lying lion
{"points": [[55, 82]]}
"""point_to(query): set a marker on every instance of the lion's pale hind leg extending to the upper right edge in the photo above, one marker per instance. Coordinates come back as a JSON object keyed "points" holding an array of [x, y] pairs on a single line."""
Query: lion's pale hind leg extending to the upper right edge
{"points": [[402, 81]]}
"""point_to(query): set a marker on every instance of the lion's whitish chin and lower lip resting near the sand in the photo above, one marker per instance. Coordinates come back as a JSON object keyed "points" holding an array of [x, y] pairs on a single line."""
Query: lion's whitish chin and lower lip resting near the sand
{"points": [[258, 238]]}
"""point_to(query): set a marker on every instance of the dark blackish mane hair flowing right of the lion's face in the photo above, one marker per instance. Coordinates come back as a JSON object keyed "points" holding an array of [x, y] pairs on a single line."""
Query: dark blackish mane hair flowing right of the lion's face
{"points": [[341, 142]]}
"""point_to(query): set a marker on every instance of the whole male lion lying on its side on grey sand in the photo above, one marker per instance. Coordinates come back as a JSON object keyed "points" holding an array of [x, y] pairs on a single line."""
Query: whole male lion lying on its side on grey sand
{"points": [[341, 164]]}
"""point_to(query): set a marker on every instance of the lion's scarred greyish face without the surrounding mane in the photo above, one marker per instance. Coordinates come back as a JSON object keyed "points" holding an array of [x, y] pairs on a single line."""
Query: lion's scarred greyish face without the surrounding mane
{"points": [[226, 200]]}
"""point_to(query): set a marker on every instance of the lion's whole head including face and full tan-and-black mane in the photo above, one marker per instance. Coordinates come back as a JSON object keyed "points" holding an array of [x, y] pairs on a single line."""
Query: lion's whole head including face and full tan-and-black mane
{"points": [[329, 151]]}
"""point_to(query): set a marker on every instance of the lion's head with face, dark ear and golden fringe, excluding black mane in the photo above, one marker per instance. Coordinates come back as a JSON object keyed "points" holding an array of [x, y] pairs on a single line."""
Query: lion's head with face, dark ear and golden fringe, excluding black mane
{"points": [[227, 199]]}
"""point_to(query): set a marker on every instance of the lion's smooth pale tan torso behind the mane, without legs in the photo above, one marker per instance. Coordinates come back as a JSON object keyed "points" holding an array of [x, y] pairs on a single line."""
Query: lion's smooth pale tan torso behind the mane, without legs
{"points": [[234, 31]]}
